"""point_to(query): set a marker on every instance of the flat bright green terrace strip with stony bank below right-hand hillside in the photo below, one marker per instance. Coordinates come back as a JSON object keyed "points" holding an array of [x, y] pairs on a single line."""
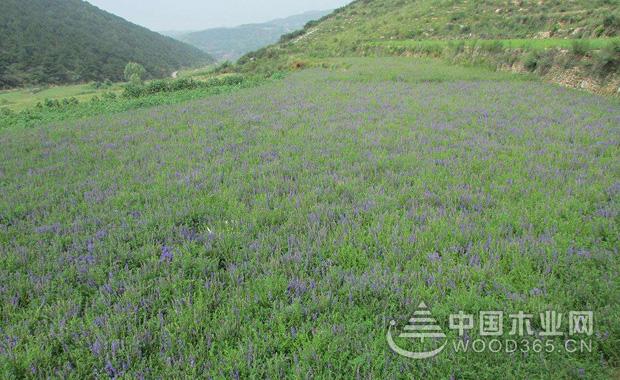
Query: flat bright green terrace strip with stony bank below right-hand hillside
{"points": [[595, 59]]}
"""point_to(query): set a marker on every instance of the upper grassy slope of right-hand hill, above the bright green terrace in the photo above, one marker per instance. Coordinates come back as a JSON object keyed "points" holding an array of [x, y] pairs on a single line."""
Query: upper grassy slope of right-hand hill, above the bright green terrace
{"points": [[345, 30]]}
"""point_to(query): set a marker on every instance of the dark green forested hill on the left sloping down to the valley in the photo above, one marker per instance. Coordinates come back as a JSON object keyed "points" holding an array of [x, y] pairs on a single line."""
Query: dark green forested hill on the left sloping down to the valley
{"points": [[68, 41]]}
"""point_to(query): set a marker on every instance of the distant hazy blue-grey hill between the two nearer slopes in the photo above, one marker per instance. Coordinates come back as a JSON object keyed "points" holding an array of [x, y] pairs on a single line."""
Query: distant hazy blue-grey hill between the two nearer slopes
{"points": [[232, 43]]}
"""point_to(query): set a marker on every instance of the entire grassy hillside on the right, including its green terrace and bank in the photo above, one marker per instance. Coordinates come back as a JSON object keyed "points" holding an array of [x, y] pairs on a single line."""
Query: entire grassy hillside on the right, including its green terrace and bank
{"points": [[359, 27]]}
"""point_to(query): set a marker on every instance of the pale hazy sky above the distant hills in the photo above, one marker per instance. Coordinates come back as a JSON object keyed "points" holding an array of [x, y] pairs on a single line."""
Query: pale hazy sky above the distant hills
{"points": [[164, 15]]}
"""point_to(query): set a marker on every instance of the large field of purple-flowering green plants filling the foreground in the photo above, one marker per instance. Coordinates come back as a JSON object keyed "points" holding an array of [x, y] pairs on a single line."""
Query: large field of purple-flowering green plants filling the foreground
{"points": [[276, 231]]}
